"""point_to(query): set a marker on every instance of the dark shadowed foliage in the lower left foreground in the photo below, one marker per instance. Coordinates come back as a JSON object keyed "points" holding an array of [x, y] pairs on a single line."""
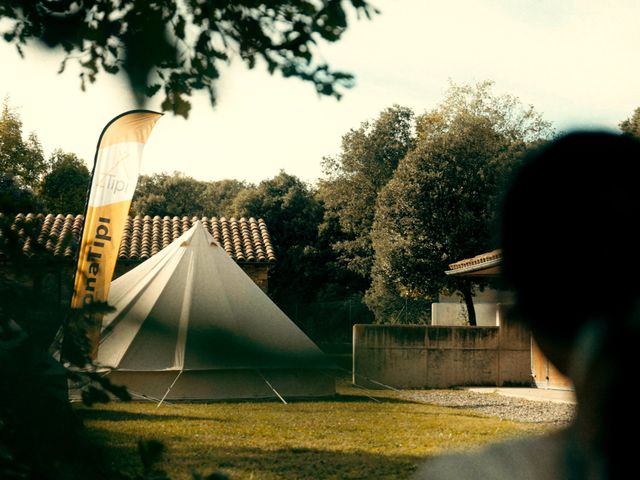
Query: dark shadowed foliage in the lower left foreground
{"points": [[41, 436]]}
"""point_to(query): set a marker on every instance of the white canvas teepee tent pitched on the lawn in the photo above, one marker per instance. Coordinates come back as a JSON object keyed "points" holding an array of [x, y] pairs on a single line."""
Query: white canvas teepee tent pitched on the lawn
{"points": [[189, 324]]}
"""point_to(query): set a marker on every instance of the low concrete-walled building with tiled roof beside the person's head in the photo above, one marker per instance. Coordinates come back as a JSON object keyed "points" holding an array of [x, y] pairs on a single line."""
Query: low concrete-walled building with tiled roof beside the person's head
{"points": [[449, 353]]}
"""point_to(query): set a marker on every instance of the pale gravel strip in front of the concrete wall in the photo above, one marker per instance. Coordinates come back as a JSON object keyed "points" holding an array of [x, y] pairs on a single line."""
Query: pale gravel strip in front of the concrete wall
{"points": [[495, 405]]}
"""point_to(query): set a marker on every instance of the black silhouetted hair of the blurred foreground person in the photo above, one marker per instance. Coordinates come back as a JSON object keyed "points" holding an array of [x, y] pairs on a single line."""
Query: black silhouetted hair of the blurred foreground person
{"points": [[570, 251]]}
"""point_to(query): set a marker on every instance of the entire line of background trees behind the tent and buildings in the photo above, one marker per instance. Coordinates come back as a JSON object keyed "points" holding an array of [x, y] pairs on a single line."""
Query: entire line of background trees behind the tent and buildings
{"points": [[405, 196]]}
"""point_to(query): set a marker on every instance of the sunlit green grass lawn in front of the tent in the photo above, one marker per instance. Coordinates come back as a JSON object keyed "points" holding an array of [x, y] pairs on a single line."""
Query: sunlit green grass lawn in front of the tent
{"points": [[351, 436]]}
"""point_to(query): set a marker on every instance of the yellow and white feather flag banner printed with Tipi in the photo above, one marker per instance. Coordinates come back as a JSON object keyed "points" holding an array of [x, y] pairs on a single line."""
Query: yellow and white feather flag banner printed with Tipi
{"points": [[115, 176]]}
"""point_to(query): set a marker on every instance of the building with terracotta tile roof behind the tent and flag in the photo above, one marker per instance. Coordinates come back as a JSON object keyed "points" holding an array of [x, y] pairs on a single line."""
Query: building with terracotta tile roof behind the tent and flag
{"points": [[50, 242]]}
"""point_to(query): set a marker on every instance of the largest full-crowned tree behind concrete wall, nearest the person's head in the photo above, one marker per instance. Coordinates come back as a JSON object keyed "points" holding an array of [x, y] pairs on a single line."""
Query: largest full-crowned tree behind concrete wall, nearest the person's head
{"points": [[439, 206]]}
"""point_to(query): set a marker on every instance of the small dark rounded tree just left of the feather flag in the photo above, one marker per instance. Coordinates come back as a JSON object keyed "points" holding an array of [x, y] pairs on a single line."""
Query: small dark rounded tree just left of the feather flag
{"points": [[64, 189]]}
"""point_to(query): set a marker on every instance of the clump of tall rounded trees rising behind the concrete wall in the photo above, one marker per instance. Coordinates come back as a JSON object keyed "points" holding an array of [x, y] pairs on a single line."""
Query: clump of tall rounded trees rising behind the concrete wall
{"points": [[409, 194]]}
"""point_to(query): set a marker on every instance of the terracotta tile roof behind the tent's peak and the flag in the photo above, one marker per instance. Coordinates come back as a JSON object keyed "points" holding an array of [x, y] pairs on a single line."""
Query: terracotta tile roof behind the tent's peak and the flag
{"points": [[245, 240]]}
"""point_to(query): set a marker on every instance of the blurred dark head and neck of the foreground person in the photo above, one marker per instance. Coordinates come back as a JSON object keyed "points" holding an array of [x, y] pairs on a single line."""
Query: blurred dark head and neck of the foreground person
{"points": [[571, 255]]}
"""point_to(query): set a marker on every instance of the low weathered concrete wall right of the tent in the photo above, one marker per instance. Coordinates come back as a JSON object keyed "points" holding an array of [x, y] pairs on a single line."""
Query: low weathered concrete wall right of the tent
{"points": [[411, 356]]}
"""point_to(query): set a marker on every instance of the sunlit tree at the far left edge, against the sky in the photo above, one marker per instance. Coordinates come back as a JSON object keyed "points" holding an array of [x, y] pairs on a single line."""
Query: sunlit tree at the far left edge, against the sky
{"points": [[19, 157]]}
